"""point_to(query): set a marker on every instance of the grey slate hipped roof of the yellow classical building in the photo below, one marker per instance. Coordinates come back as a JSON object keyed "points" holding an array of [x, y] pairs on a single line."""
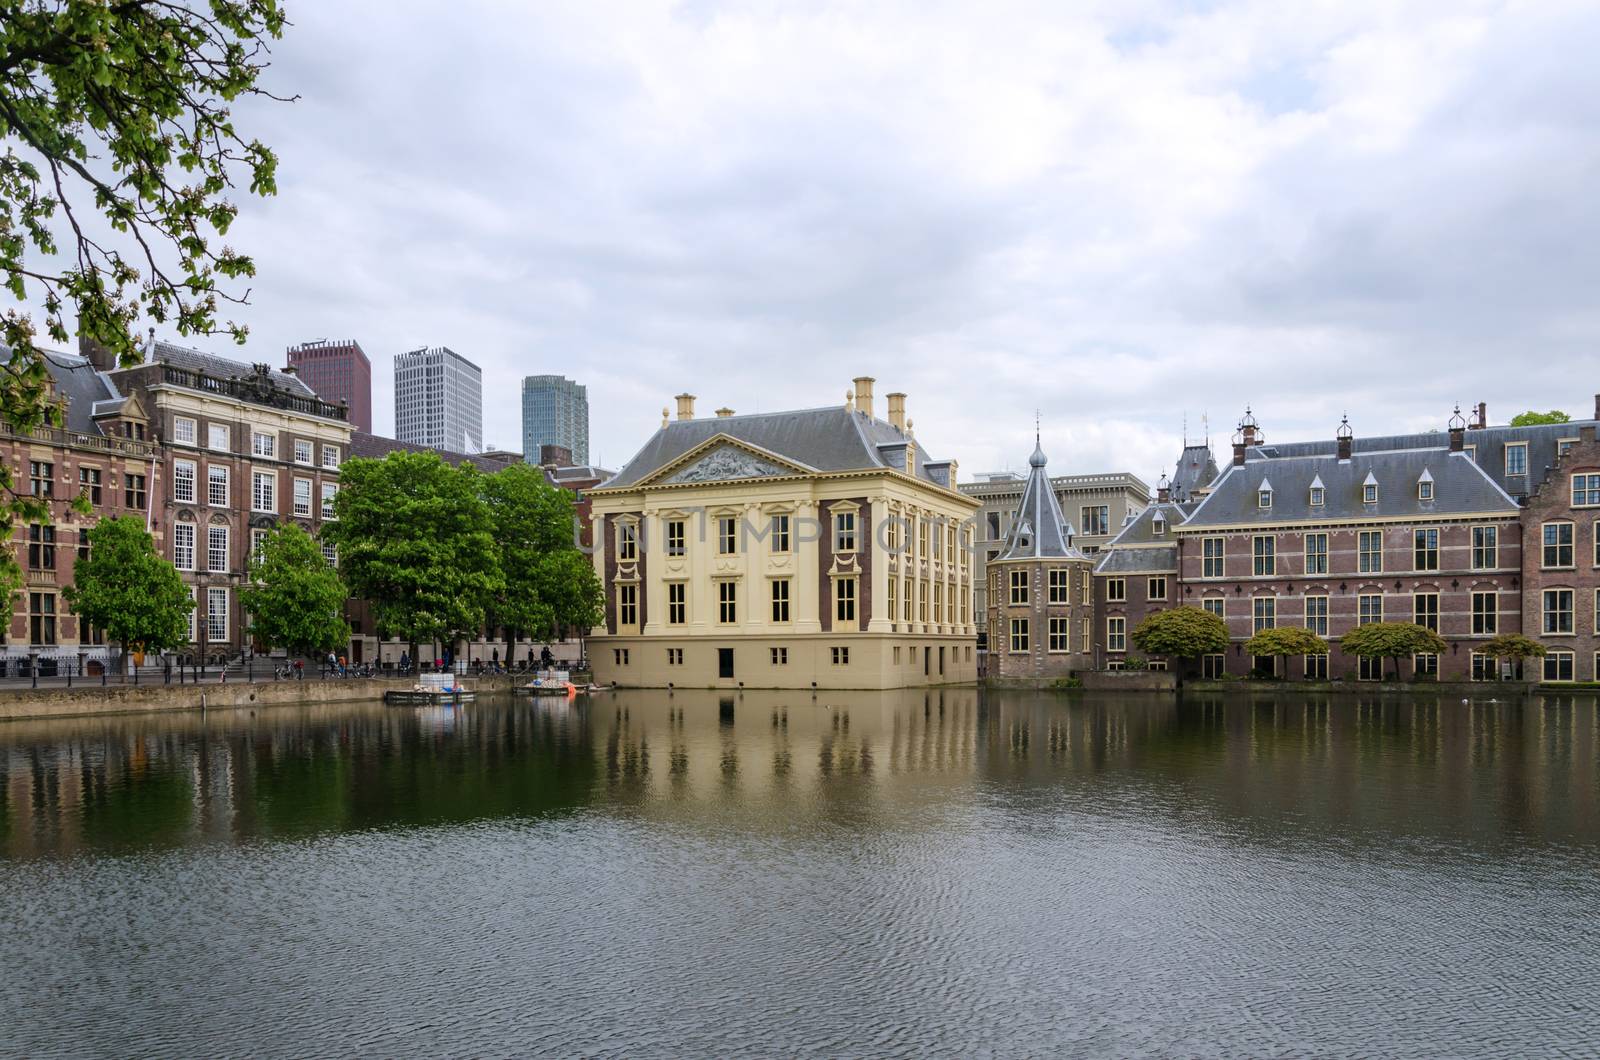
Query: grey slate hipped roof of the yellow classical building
{"points": [[818, 440]]}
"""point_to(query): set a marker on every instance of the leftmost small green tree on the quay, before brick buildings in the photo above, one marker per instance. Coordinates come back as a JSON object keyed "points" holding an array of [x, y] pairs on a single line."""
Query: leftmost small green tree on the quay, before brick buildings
{"points": [[129, 590]]}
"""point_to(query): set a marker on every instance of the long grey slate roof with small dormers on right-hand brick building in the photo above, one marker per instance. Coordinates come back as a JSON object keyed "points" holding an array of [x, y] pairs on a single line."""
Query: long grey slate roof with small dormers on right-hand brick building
{"points": [[1460, 486]]}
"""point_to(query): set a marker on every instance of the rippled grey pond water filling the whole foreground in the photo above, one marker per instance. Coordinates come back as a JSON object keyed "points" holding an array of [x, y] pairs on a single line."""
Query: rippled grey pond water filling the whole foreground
{"points": [[778, 875]]}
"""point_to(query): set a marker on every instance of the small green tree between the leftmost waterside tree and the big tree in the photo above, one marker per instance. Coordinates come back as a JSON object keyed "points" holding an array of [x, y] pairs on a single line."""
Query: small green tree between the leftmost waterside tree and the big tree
{"points": [[295, 598]]}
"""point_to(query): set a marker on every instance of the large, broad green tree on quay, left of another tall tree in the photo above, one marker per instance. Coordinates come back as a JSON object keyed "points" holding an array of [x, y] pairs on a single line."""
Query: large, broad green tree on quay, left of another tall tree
{"points": [[415, 542]]}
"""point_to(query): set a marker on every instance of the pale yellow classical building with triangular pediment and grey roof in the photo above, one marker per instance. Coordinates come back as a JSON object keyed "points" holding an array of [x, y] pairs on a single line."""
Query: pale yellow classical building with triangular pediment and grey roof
{"points": [[793, 550]]}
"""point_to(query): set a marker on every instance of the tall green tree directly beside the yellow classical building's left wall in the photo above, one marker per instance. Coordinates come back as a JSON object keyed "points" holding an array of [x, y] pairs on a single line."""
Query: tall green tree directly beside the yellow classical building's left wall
{"points": [[548, 584]]}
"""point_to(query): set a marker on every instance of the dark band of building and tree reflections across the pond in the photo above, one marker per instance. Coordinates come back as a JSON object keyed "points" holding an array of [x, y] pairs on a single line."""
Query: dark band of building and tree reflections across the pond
{"points": [[1250, 768]]}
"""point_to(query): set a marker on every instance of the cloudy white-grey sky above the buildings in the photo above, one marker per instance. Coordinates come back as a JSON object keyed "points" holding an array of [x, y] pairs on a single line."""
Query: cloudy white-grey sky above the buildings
{"points": [[1121, 215]]}
